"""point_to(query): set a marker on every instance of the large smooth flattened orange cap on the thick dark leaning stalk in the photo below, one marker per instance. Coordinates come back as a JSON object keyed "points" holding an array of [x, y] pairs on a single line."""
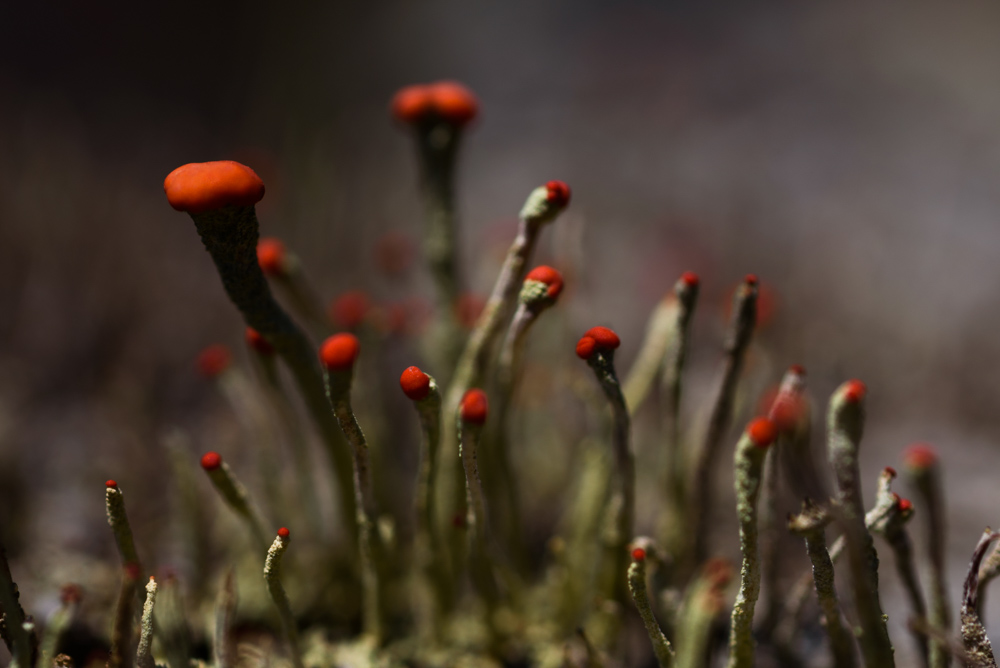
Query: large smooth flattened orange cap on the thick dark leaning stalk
{"points": [[205, 186]]}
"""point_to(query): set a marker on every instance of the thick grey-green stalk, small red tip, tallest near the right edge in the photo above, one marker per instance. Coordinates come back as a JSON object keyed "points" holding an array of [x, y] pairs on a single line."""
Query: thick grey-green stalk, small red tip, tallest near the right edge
{"points": [[845, 425]]}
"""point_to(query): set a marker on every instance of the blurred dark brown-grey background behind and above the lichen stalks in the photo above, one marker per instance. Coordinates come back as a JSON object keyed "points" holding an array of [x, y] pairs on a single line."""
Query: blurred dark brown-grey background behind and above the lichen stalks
{"points": [[847, 154]]}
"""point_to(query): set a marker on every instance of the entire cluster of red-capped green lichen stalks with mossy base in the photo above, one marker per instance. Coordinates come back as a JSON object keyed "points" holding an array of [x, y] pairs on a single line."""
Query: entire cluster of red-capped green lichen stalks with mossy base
{"points": [[460, 580]]}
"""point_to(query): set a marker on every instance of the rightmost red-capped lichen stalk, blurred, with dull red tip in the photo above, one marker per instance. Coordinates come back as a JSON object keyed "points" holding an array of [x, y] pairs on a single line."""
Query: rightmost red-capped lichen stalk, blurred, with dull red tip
{"points": [[925, 474]]}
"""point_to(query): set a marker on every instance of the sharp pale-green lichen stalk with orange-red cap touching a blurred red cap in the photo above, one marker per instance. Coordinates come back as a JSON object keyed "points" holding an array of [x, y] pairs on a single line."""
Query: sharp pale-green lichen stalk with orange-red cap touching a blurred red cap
{"points": [[748, 465]]}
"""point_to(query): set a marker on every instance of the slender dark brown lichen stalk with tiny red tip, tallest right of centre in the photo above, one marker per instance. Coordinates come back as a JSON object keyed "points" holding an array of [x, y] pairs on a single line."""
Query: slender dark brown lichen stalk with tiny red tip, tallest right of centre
{"points": [[743, 319]]}
